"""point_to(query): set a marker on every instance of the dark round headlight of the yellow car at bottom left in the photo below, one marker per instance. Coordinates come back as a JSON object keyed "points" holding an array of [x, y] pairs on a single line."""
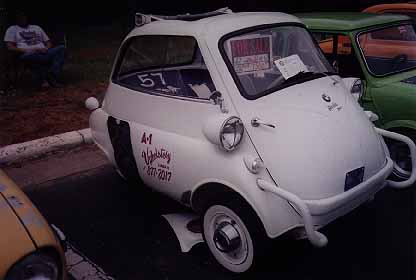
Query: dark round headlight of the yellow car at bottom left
{"points": [[37, 266]]}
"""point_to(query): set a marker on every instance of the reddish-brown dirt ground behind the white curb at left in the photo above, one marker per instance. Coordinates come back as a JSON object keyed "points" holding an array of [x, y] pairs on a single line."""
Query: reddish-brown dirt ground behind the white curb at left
{"points": [[53, 111]]}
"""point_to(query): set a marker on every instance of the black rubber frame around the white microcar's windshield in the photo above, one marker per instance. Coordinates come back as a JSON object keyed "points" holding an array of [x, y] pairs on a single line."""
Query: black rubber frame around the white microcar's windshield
{"points": [[221, 46]]}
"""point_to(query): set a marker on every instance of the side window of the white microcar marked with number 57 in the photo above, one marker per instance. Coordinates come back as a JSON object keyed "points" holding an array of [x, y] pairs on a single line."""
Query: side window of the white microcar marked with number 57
{"points": [[171, 65]]}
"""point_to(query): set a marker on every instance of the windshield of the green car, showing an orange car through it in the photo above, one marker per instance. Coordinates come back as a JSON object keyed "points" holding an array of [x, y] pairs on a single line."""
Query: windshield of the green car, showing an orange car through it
{"points": [[389, 50]]}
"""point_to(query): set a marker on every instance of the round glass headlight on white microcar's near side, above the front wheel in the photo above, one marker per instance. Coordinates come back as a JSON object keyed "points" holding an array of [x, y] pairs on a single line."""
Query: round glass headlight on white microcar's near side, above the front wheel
{"points": [[231, 133]]}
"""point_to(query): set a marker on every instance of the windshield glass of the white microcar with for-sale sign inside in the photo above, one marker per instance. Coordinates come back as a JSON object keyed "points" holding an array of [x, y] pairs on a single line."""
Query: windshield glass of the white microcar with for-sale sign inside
{"points": [[272, 58]]}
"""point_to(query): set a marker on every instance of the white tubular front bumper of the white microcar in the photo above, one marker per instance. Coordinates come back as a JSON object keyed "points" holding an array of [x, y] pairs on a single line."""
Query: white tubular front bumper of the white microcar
{"points": [[316, 213]]}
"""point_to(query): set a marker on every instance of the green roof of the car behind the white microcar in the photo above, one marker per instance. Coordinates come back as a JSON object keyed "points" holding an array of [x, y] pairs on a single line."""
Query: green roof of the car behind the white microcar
{"points": [[347, 21]]}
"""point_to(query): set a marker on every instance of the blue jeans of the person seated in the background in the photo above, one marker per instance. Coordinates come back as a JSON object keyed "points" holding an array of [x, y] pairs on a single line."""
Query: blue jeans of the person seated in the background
{"points": [[42, 64]]}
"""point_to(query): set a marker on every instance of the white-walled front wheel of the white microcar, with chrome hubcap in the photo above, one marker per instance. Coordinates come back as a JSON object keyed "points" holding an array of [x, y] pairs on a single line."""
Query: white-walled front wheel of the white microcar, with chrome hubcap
{"points": [[228, 238]]}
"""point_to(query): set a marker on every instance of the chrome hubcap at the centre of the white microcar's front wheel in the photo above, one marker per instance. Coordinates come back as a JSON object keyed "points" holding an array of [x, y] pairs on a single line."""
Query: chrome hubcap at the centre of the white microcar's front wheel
{"points": [[226, 237]]}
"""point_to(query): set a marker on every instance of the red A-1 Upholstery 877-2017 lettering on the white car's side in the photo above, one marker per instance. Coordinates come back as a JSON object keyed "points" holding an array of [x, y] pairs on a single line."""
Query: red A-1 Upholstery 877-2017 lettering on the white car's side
{"points": [[157, 160]]}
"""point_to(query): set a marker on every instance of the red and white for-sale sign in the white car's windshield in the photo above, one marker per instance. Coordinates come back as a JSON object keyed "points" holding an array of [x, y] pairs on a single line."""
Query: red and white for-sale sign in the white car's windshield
{"points": [[251, 53]]}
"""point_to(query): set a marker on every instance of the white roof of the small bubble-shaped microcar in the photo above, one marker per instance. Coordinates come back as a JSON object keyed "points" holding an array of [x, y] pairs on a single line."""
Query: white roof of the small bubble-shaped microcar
{"points": [[215, 26]]}
